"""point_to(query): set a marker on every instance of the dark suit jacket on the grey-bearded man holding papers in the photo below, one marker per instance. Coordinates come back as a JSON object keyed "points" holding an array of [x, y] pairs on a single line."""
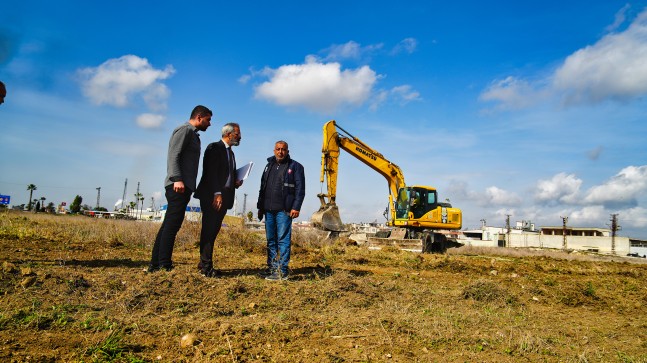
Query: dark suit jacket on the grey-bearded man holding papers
{"points": [[215, 171]]}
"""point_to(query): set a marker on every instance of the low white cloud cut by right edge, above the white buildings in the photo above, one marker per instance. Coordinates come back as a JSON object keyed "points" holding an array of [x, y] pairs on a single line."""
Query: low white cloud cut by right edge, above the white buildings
{"points": [[622, 189]]}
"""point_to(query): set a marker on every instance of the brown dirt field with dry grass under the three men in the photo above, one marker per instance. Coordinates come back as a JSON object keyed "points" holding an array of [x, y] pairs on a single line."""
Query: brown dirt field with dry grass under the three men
{"points": [[74, 289]]}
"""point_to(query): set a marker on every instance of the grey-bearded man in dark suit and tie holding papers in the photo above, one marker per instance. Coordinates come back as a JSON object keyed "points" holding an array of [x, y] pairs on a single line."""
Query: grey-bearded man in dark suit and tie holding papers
{"points": [[216, 192]]}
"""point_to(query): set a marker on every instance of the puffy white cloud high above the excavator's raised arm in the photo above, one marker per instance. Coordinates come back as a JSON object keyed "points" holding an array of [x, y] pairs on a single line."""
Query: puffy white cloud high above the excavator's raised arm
{"points": [[318, 86]]}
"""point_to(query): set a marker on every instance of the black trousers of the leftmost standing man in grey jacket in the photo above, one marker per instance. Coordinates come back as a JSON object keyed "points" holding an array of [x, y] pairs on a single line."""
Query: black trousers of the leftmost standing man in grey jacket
{"points": [[163, 247]]}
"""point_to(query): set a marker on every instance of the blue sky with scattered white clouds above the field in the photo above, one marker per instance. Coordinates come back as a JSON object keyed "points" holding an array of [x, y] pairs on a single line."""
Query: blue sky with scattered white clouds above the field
{"points": [[536, 110]]}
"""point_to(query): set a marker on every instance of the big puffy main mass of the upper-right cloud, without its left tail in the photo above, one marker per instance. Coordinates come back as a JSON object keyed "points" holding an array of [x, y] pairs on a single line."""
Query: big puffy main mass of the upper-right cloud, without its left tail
{"points": [[613, 68]]}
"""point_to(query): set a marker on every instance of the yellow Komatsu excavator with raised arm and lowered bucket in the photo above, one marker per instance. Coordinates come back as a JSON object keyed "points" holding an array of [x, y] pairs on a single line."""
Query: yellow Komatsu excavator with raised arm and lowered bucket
{"points": [[418, 219]]}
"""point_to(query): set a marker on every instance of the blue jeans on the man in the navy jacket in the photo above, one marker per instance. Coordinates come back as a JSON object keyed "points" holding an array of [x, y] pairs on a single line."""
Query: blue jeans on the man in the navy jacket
{"points": [[278, 230]]}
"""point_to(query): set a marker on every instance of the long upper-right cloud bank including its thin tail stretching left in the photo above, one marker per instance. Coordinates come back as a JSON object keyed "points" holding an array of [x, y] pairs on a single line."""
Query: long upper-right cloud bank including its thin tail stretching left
{"points": [[614, 68]]}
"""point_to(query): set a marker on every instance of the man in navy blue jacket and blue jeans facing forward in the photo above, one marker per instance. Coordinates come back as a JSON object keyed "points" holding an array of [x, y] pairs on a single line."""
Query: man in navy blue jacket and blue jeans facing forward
{"points": [[280, 198]]}
